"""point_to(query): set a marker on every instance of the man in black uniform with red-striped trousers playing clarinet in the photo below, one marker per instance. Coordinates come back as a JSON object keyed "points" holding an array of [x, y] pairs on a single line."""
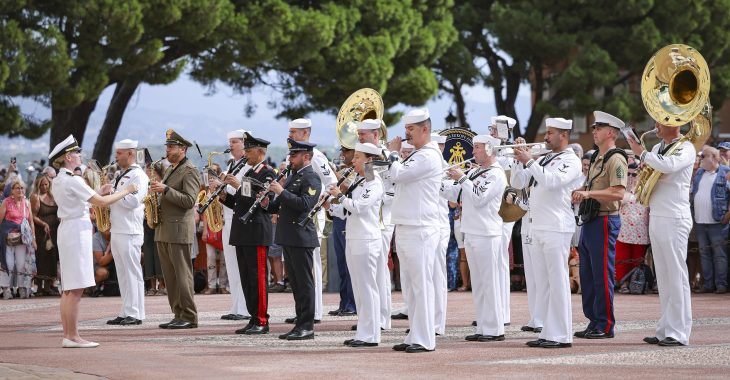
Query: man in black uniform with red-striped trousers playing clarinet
{"points": [[252, 239]]}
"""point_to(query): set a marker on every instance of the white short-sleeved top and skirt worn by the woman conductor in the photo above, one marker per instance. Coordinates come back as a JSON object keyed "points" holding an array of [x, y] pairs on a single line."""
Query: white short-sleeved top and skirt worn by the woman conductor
{"points": [[75, 232]]}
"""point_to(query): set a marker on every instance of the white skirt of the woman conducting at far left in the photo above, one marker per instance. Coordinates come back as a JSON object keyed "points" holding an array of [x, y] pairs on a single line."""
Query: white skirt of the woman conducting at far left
{"points": [[75, 253]]}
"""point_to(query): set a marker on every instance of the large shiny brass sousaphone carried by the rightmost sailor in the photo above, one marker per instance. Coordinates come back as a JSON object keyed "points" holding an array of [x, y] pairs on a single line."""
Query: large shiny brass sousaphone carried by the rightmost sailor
{"points": [[675, 88]]}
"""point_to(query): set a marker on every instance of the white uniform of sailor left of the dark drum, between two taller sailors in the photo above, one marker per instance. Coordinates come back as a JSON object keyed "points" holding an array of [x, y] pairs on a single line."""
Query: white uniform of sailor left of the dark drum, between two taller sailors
{"points": [[481, 195]]}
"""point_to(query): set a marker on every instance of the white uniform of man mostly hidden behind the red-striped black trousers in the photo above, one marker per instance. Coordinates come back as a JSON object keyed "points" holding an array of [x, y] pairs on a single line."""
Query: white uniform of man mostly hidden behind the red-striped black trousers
{"points": [[238, 300]]}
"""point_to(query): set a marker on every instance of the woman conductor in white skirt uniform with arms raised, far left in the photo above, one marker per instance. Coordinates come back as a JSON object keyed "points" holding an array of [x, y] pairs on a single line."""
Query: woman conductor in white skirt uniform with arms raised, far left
{"points": [[73, 196]]}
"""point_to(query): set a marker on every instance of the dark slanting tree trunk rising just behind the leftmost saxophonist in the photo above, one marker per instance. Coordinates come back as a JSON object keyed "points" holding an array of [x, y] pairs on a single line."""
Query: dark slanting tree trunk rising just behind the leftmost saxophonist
{"points": [[123, 92]]}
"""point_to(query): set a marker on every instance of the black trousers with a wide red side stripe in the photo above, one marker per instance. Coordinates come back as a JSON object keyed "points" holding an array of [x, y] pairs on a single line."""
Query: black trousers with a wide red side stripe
{"points": [[252, 262]]}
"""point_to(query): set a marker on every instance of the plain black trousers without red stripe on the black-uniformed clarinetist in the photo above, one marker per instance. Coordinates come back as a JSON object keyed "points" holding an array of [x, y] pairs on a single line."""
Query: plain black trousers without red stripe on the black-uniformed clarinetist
{"points": [[299, 261]]}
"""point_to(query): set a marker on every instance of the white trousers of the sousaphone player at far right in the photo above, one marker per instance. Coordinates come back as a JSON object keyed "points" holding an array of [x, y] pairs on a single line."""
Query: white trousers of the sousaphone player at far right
{"points": [[669, 246]]}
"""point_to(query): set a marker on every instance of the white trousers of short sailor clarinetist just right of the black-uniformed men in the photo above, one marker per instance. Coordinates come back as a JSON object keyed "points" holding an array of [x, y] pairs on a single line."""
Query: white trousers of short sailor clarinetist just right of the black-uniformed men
{"points": [[362, 262]]}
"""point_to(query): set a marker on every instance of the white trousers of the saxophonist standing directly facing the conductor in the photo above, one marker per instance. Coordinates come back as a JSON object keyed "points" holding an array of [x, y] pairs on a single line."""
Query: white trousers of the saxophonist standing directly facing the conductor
{"points": [[127, 251]]}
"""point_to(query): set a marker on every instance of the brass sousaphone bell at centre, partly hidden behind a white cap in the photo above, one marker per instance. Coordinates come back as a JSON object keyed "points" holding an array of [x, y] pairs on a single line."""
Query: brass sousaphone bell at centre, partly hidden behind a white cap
{"points": [[363, 104]]}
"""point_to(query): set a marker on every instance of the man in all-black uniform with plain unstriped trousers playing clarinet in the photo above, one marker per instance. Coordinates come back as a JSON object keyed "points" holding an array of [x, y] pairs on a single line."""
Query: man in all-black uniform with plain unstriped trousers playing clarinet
{"points": [[293, 202]]}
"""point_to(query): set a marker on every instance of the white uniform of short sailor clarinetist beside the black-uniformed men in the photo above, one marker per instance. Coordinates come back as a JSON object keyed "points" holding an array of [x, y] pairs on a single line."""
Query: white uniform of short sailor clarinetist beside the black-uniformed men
{"points": [[362, 250]]}
